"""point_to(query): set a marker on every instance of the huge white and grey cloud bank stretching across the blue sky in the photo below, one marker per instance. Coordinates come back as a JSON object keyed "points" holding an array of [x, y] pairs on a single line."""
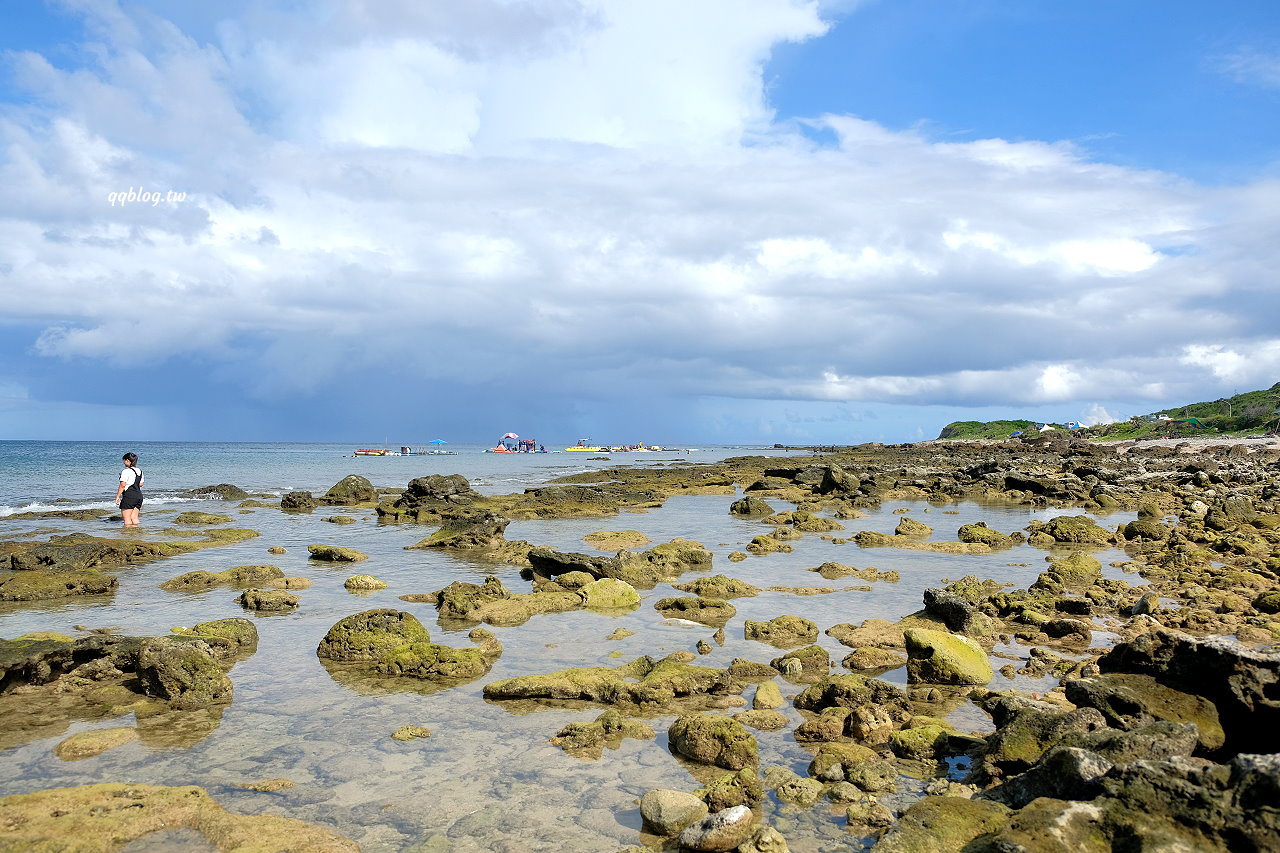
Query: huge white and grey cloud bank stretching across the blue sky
{"points": [[598, 197]]}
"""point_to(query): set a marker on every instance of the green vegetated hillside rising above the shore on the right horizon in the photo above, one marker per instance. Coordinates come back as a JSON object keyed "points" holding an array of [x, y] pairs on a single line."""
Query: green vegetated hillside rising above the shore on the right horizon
{"points": [[1250, 414]]}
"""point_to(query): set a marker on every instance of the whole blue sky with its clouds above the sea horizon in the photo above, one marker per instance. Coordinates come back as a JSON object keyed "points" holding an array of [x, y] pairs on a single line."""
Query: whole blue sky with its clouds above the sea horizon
{"points": [[671, 222]]}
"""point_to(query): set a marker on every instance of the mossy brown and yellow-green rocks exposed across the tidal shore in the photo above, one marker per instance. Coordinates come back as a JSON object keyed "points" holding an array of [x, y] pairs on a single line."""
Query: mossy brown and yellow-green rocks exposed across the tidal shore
{"points": [[1154, 733]]}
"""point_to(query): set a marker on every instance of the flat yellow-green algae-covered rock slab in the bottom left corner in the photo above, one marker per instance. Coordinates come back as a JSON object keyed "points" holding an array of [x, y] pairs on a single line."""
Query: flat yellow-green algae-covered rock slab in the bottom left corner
{"points": [[102, 819]]}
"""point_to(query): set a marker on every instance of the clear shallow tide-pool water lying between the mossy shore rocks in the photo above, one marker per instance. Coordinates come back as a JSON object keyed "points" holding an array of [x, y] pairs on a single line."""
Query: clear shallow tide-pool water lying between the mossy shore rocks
{"points": [[488, 779]]}
